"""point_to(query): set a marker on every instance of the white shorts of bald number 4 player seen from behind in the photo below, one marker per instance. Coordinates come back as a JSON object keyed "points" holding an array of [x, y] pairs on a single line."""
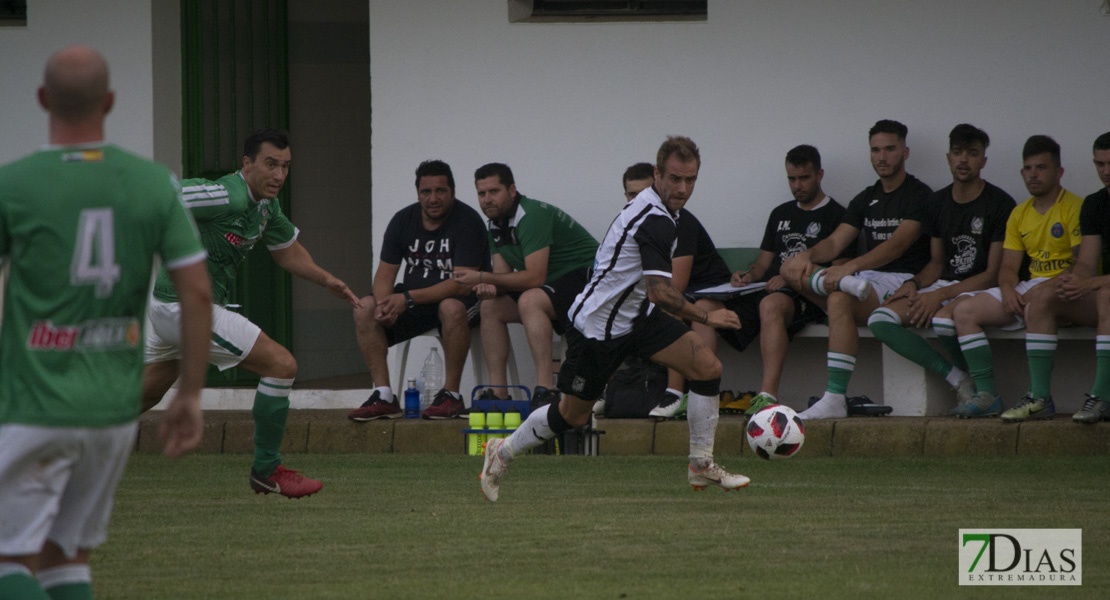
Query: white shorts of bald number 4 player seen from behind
{"points": [[58, 485]]}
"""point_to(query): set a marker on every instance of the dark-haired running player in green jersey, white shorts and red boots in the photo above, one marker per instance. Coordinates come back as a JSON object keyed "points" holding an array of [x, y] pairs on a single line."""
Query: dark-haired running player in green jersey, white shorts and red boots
{"points": [[235, 213]]}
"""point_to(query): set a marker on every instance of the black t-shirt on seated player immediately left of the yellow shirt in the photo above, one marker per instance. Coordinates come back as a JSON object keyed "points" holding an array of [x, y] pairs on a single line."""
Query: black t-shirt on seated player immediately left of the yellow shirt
{"points": [[968, 230]]}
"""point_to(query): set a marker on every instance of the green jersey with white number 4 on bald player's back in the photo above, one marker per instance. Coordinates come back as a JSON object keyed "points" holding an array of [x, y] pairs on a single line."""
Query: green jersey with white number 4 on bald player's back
{"points": [[82, 227]]}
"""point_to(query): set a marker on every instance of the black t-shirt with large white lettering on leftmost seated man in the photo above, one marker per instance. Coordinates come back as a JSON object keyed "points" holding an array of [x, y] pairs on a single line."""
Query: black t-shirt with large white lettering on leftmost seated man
{"points": [[431, 257]]}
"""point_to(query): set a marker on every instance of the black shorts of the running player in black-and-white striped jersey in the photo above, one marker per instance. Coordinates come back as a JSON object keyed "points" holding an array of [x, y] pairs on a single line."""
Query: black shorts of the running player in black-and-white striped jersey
{"points": [[590, 363]]}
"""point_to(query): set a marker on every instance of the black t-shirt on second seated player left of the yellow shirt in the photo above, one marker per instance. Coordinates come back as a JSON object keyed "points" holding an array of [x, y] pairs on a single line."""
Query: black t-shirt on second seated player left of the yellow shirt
{"points": [[877, 215]]}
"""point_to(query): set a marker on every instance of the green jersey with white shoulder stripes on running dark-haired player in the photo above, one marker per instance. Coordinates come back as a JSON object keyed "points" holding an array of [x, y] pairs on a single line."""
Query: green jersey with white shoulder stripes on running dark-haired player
{"points": [[231, 222]]}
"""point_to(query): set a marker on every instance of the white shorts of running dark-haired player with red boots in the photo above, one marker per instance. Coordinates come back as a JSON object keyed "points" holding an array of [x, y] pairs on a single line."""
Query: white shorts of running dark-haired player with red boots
{"points": [[234, 335]]}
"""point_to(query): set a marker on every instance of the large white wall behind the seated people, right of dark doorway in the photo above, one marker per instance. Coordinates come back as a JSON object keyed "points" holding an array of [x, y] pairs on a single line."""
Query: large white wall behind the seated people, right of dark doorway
{"points": [[569, 107]]}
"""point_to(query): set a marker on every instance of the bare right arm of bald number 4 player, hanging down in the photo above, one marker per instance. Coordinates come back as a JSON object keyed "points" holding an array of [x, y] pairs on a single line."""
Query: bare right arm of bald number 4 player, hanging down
{"points": [[184, 424]]}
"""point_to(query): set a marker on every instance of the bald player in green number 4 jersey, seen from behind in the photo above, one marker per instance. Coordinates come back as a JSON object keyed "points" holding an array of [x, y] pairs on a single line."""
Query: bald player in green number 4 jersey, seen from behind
{"points": [[82, 222]]}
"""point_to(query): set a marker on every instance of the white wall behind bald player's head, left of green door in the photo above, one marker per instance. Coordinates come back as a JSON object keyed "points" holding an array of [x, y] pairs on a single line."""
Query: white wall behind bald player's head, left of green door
{"points": [[119, 29]]}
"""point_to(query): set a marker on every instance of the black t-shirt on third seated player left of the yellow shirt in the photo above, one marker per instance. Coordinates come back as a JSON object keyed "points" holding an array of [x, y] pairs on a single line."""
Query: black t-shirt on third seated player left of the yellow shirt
{"points": [[792, 231]]}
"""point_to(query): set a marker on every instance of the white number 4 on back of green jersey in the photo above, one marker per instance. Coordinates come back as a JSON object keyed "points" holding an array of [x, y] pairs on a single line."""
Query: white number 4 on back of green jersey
{"points": [[95, 252]]}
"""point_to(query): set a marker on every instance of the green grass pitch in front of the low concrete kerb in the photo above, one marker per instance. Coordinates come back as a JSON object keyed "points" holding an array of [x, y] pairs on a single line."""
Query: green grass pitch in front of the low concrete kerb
{"points": [[412, 526]]}
